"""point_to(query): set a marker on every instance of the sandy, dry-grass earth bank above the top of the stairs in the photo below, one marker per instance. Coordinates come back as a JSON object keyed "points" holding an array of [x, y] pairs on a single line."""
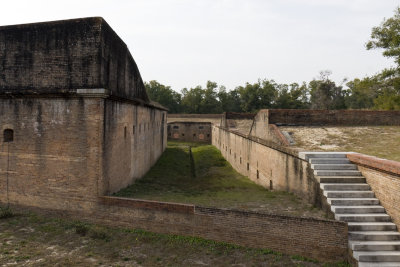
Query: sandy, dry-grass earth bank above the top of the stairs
{"points": [[379, 141]]}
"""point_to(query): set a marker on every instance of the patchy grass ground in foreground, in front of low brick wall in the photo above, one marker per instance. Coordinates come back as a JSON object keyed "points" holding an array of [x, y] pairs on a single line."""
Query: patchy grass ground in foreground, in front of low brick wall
{"points": [[37, 240]]}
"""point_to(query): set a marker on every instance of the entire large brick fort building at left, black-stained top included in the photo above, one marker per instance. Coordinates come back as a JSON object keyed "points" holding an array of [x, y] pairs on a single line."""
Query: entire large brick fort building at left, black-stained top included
{"points": [[75, 120]]}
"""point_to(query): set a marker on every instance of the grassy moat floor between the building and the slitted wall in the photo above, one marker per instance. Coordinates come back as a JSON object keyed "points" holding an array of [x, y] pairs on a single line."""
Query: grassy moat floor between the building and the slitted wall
{"points": [[215, 184]]}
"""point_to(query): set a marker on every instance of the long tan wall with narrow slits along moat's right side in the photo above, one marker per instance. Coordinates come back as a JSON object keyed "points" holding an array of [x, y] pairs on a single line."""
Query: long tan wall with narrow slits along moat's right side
{"points": [[268, 164]]}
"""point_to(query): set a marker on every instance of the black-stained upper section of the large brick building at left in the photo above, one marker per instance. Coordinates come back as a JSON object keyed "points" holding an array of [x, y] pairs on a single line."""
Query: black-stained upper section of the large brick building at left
{"points": [[62, 56]]}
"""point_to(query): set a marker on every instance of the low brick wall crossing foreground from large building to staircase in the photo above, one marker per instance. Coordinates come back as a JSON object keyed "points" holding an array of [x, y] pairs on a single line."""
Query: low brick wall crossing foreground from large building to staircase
{"points": [[315, 238]]}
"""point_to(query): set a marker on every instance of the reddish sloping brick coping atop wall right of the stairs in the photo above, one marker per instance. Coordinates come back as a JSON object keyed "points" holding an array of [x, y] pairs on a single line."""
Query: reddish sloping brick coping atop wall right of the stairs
{"points": [[385, 165]]}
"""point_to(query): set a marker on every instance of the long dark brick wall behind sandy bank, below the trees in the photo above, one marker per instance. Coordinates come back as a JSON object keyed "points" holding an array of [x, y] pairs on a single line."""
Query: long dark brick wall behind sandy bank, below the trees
{"points": [[333, 117]]}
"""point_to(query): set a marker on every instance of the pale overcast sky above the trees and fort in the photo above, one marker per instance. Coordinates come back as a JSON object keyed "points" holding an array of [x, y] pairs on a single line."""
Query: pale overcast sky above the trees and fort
{"points": [[184, 43]]}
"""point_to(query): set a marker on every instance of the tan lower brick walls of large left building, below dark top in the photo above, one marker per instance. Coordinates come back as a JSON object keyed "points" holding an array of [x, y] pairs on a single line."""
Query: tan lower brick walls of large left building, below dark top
{"points": [[67, 152]]}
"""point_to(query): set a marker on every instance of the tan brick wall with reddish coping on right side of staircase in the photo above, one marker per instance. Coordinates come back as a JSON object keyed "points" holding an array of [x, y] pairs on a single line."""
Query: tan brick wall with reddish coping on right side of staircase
{"points": [[384, 178]]}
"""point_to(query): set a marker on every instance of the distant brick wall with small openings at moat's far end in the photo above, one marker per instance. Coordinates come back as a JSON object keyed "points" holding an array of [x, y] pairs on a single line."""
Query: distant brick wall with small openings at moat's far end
{"points": [[190, 131]]}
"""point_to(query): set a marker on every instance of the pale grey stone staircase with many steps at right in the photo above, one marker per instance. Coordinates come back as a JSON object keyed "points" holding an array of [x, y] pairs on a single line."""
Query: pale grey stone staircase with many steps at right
{"points": [[373, 238]]}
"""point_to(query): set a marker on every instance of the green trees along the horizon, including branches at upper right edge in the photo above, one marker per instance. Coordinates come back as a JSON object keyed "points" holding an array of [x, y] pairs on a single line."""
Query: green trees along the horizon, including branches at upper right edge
{"points": [[380, 91]]}
